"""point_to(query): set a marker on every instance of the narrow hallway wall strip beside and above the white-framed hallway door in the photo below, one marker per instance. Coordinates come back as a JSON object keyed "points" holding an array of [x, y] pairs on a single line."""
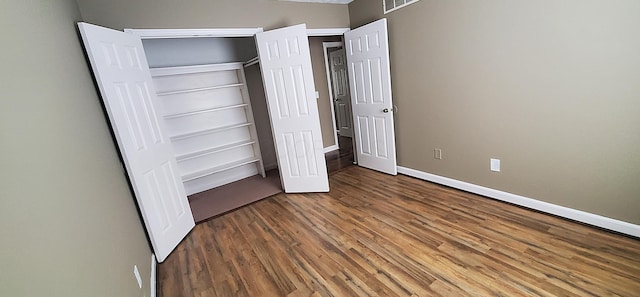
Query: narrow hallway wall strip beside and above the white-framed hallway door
{"points": [[320, 81]]}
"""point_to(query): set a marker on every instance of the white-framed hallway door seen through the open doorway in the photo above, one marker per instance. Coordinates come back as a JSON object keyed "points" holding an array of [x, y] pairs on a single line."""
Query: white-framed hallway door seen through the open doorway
{"points": [[339, 78]]}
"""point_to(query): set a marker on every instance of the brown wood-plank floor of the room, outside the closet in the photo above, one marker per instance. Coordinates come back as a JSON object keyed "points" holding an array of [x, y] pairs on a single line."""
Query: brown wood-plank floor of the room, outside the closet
{"points": [[380, 235]]}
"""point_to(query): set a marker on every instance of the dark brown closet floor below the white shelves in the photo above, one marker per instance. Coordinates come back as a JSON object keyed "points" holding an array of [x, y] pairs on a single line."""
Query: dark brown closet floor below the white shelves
{"points": [[210, 203]]}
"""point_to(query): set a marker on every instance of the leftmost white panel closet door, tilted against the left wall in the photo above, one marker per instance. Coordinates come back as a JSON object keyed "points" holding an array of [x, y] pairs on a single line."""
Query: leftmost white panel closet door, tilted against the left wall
{"points": [[123, 77]]}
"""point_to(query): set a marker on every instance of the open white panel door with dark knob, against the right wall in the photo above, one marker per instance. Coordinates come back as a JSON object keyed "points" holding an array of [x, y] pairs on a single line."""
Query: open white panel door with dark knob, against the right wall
{"points": [[370, 81]]}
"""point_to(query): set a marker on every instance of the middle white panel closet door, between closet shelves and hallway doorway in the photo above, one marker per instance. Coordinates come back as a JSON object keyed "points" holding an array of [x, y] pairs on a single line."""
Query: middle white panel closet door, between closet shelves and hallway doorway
{"points": [[285, 63]]}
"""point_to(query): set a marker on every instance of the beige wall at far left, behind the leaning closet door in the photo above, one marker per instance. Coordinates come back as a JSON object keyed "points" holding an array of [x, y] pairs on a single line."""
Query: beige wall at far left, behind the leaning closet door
{"points": [[69, 225]]}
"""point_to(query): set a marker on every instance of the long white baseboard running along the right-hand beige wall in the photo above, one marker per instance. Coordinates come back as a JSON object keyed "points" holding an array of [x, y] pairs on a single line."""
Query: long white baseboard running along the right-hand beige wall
{"points": [[562, 211]]}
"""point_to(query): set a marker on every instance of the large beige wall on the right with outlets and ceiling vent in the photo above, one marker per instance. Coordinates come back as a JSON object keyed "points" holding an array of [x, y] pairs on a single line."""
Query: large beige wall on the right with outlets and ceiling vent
{"points": [[549, 87]]}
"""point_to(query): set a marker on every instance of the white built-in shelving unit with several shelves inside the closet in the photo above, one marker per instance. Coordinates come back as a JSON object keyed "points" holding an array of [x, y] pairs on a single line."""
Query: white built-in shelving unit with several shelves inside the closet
{"points": [[207, 153]]}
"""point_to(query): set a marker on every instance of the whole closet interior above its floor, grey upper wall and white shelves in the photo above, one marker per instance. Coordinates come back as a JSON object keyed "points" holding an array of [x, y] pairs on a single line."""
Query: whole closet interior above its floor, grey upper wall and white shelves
{"points": [[219, 136]]}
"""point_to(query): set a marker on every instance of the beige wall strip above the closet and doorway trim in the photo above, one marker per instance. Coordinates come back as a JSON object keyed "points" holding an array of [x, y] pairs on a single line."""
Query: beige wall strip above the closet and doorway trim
{"points": [[268, 14]]}
